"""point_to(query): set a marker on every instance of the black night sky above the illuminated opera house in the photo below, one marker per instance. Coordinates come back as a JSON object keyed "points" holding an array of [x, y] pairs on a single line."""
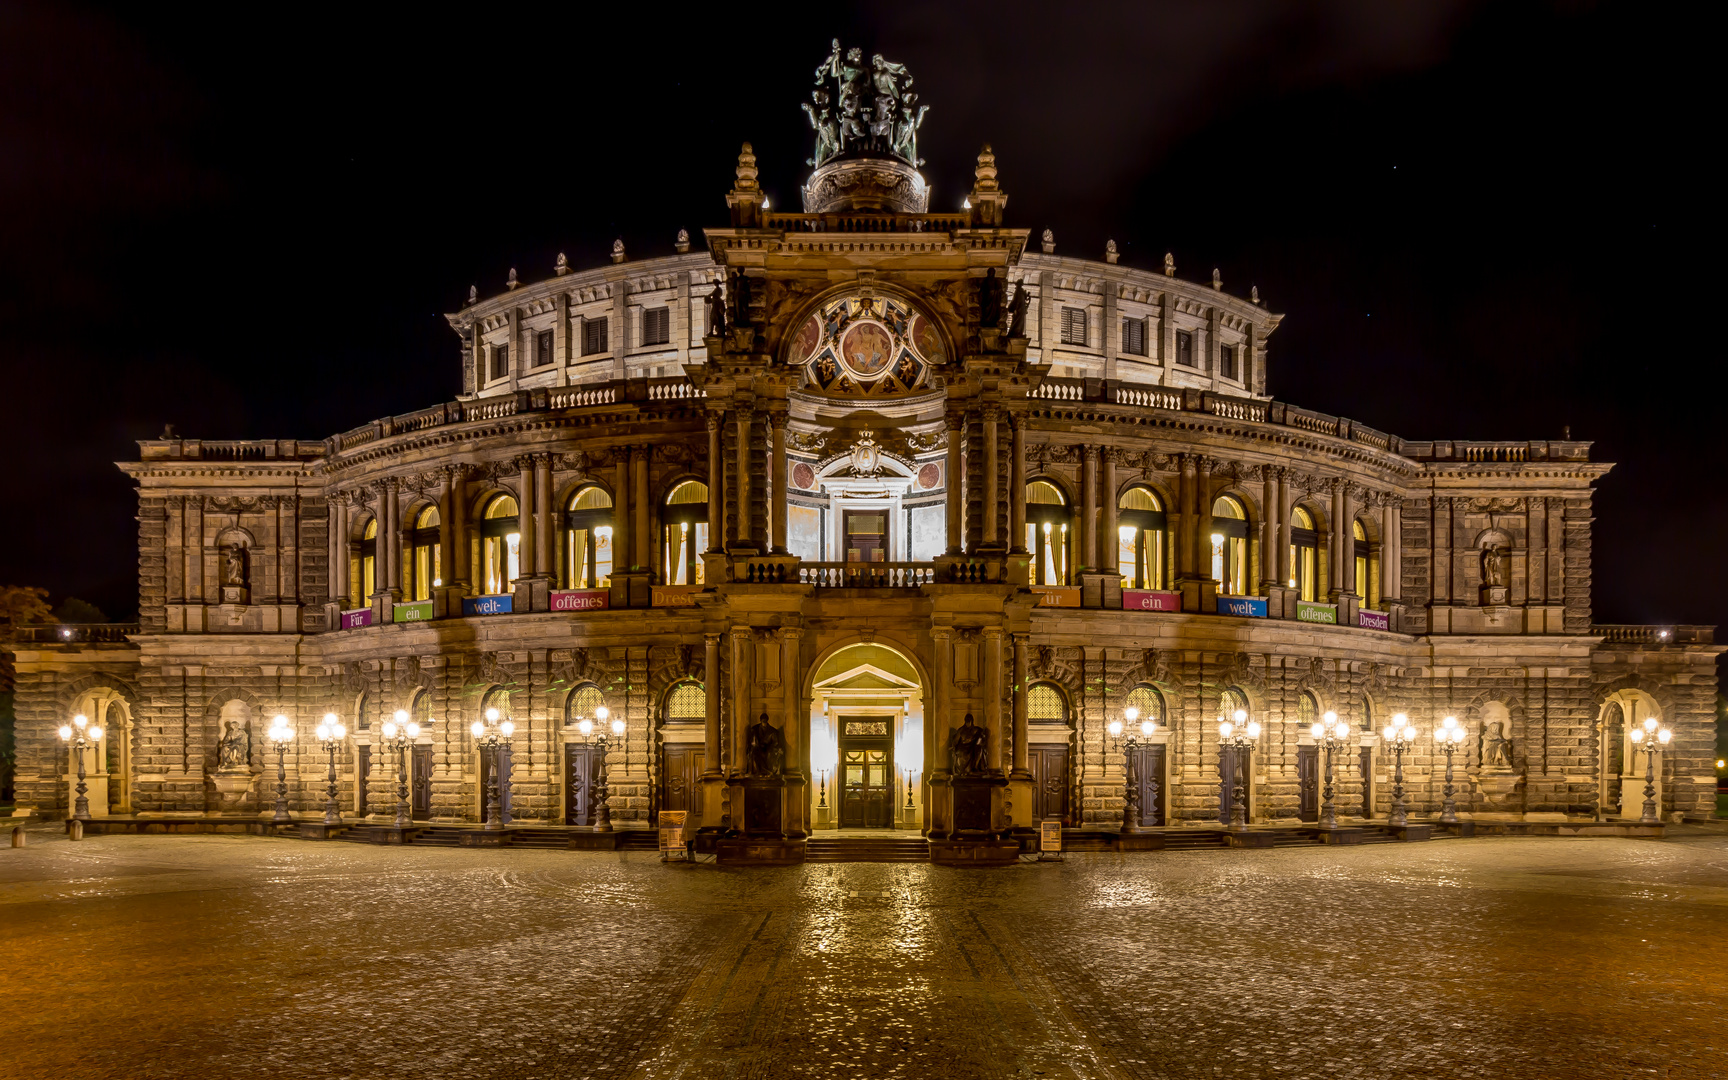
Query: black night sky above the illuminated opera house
{"points": [[1482, 220]]}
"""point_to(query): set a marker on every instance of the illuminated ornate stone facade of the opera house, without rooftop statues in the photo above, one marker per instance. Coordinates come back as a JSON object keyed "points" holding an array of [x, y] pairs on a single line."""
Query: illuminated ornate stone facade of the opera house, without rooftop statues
{"points": [[865, 400]]}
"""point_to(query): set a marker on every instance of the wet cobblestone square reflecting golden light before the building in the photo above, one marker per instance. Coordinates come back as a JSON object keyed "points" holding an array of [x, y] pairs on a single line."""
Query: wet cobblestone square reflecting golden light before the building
{"points": [[239, 958]]}
